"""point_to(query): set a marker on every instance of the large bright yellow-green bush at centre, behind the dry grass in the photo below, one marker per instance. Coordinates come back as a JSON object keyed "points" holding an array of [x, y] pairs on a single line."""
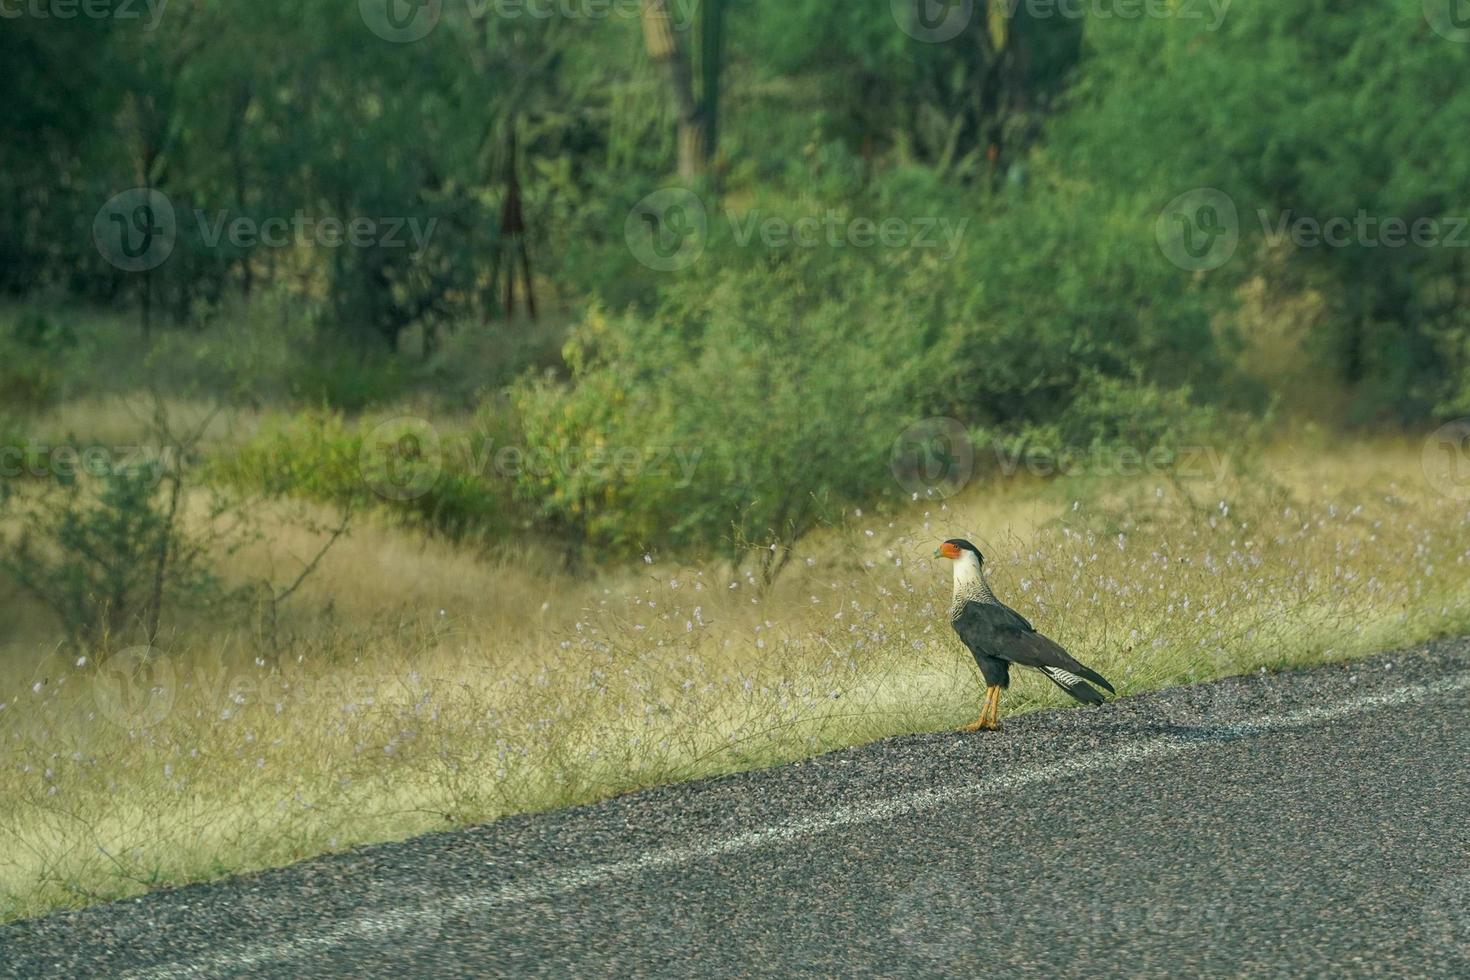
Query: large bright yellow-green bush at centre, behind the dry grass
{"points": [[762, 397]]}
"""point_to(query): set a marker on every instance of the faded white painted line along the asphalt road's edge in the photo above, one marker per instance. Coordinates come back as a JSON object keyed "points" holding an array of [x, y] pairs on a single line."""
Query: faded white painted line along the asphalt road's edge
{"points": [[409, 920]]}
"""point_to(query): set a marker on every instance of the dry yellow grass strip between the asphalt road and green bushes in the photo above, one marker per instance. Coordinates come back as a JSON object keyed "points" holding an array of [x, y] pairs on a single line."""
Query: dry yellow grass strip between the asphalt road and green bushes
{"points": [[426, 688]]}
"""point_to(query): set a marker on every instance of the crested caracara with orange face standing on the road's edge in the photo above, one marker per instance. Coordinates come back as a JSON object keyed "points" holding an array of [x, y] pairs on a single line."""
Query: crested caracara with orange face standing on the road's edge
{"points": [[1000, 637]]}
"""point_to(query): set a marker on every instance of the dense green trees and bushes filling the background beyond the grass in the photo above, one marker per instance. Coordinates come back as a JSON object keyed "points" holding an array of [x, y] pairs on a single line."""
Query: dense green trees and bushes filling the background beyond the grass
{"points": [[761, 386]]}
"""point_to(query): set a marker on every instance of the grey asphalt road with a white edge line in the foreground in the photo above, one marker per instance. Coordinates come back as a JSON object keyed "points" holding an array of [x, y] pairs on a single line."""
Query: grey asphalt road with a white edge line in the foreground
{"points": [[1309, 824]]}
